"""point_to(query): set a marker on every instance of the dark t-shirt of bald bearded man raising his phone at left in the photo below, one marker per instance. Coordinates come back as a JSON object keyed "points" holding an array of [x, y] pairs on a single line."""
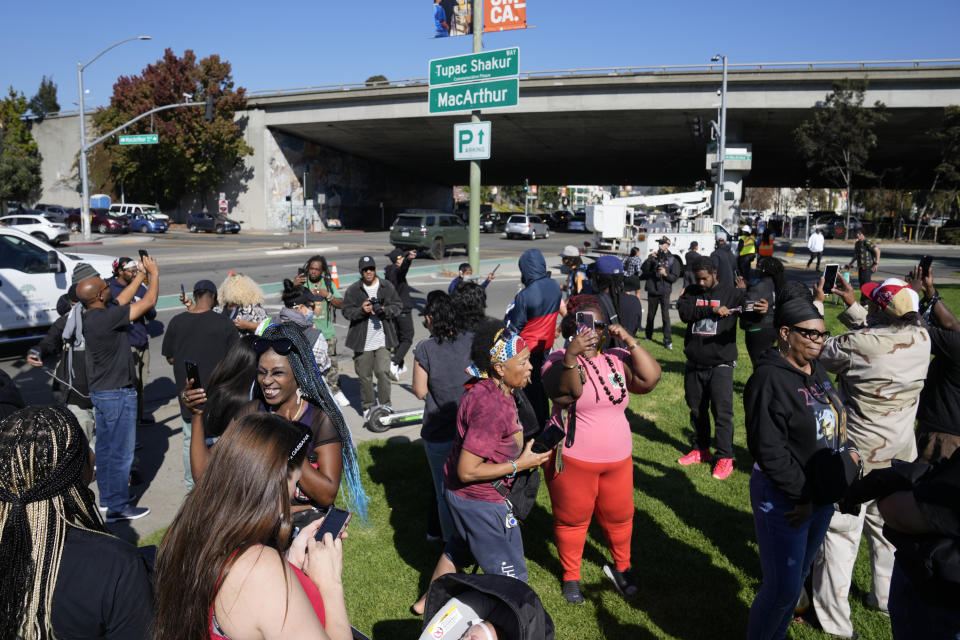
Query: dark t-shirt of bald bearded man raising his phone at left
{"points": [[109, 361]]}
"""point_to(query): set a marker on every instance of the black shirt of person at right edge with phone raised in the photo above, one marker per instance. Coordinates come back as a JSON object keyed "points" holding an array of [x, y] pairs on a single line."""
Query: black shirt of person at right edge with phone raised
{"points": [[940, 399]]}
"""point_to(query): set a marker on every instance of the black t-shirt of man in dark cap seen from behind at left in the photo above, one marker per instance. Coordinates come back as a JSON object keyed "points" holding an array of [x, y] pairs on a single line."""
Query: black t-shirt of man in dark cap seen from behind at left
{"points": [[203, 338]]}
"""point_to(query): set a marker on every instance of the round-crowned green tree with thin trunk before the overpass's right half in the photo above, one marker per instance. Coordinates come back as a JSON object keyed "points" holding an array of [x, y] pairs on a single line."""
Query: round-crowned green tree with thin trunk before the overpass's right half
{"points": [[836, 141]]}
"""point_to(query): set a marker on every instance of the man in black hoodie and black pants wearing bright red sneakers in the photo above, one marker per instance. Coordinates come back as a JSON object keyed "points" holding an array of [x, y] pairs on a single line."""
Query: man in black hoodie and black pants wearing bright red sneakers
{"points": [[710, 310]]}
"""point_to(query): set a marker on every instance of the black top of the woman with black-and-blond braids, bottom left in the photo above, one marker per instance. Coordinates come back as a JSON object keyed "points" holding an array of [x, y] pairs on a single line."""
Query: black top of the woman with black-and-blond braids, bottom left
{"points": [[103, 588]]}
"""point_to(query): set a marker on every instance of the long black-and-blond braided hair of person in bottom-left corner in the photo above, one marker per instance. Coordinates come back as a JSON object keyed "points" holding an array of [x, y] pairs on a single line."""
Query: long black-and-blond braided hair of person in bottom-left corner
{"points": [[43, 452]]}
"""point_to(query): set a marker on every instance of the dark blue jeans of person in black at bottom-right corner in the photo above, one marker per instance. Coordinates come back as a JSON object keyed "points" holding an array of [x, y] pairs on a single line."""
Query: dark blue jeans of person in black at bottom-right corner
{"points": [[913, 616]]}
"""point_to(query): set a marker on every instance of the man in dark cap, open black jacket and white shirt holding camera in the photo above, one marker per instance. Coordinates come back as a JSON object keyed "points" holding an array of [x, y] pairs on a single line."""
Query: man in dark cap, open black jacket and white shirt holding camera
{"points": [[371, 305]]}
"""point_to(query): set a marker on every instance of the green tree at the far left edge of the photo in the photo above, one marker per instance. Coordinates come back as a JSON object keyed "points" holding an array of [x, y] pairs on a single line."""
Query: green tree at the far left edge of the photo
{"points": [[19, 156]]}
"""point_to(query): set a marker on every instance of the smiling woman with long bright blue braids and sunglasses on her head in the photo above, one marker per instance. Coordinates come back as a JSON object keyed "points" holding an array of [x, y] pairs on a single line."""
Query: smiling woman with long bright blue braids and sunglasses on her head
{"points": [[290, 385]]}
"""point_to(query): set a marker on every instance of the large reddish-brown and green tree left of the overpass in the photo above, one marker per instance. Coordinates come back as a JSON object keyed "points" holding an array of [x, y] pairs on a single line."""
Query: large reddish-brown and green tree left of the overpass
{"points": [[193, 156]]}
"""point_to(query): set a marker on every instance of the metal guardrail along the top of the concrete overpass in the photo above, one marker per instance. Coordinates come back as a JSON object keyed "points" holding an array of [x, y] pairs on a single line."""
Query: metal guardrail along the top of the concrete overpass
{"points": [[863, 65]]}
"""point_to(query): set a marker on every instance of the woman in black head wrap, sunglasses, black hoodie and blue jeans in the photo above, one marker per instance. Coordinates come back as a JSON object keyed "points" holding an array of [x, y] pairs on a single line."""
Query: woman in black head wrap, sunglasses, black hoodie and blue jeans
{"points": [[797, 433]]}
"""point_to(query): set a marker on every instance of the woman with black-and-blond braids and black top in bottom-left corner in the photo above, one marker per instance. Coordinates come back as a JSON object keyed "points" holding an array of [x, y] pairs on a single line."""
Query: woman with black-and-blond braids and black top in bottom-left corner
{"points": [[63, 574]]}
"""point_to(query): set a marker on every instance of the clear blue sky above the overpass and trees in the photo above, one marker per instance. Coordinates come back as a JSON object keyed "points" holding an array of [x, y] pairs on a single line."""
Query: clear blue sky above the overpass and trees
{"points": [[273, 46]]}
